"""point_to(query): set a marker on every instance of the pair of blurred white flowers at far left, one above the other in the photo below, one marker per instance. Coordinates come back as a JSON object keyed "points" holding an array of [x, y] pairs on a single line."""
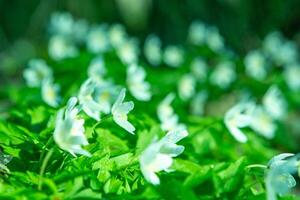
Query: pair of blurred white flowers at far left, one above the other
{"points": [[39, 74]]}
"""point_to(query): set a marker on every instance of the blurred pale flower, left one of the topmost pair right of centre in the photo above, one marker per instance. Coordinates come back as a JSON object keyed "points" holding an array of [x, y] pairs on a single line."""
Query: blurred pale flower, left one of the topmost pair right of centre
{"points": [[197, 33]]}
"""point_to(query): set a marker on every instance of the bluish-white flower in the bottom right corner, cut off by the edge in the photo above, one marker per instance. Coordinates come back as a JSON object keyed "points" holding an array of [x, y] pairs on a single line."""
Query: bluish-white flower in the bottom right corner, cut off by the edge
{"points": [[279, 179]]}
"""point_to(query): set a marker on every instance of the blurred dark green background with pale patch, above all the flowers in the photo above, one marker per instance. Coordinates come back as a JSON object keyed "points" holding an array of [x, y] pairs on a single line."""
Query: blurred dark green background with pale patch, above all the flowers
{"points": [[243, 23]]}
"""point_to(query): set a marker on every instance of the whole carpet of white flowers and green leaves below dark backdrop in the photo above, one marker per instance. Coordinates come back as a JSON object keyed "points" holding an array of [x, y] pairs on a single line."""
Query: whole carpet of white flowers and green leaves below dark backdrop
{"points": [[101, 115]]}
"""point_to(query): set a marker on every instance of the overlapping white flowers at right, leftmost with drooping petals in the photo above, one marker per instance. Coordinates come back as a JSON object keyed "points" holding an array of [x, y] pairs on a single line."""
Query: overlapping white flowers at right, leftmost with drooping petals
{"points": [[261, 118]]}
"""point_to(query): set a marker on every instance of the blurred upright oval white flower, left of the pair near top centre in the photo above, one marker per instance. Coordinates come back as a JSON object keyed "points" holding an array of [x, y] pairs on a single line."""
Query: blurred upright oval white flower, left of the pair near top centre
{"points": [[152, 50]]}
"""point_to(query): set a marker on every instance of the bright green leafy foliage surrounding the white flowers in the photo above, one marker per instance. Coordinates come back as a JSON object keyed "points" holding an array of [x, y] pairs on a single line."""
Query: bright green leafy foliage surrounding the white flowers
{"points": [[213, 164]]}
